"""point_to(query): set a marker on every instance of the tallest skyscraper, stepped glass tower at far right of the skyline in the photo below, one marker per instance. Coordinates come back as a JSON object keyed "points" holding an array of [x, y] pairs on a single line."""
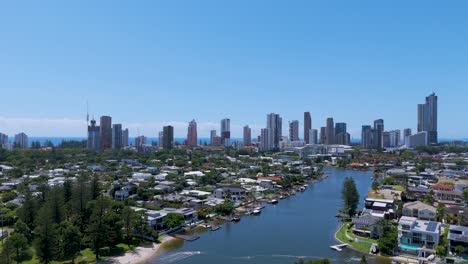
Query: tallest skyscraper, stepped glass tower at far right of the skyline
{"points": [[427, 118]]}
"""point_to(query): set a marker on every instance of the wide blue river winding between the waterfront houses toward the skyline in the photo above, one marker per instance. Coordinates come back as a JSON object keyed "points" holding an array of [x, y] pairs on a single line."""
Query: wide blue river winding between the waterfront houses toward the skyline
{"points": [[299, 226]]}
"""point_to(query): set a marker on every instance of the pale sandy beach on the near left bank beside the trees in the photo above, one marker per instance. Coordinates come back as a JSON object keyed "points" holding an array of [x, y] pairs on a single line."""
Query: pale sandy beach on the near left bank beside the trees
{"points": [[140, 254]]}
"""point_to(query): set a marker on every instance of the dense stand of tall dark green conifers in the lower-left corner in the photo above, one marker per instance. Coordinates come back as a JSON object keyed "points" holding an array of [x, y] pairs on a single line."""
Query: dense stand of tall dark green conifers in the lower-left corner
{"points": [[69, 222]]}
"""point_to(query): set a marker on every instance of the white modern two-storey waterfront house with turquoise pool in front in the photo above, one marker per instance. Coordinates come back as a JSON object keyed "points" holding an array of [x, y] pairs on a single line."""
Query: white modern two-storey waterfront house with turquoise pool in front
{"points": [[418, 237]]}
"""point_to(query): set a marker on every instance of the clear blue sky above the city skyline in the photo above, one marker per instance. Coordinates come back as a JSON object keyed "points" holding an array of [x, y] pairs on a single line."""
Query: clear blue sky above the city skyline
{"points": [[148, 63]]}
